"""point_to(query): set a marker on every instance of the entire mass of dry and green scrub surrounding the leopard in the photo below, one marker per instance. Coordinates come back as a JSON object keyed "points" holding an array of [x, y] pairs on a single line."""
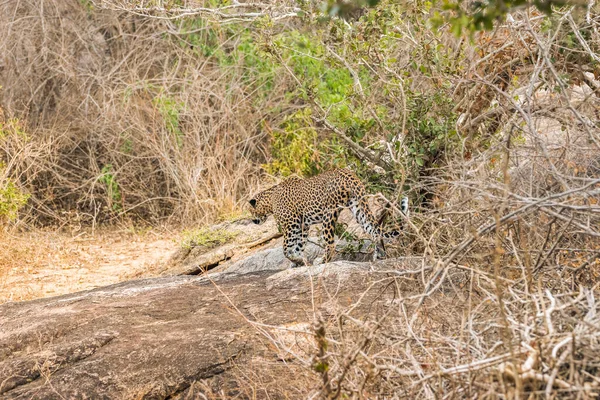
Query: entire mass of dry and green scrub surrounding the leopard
{"points": [[145, 115]]}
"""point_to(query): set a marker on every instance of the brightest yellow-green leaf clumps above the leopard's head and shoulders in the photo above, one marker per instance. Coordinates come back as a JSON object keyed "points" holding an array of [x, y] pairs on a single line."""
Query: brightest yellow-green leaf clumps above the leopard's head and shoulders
{"points": [[296, 147]]}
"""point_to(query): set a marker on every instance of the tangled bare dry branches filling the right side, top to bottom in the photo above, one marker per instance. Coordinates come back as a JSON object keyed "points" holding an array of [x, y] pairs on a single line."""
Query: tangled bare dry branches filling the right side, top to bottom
{"points": [[505, 304]]}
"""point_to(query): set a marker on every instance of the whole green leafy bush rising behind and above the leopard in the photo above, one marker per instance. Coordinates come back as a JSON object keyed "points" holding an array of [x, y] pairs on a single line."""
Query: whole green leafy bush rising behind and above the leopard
{"points": [[349, 75]]}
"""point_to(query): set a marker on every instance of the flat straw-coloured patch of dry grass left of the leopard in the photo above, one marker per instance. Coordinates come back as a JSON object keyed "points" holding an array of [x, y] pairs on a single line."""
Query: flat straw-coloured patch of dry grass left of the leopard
{"points": [[48, 263]]}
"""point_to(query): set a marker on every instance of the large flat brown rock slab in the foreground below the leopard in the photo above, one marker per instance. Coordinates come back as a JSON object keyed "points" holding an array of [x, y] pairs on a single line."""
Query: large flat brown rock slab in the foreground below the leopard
{"points": [[178, 336]]}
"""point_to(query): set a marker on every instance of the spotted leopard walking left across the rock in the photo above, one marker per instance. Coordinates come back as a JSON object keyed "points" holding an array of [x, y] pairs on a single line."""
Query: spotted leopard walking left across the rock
{"points": [[298, 203]]}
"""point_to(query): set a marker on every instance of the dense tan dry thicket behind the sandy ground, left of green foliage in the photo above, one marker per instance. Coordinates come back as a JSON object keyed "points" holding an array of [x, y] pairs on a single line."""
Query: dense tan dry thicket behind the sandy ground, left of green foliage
{"points": [[124, 117]]}
